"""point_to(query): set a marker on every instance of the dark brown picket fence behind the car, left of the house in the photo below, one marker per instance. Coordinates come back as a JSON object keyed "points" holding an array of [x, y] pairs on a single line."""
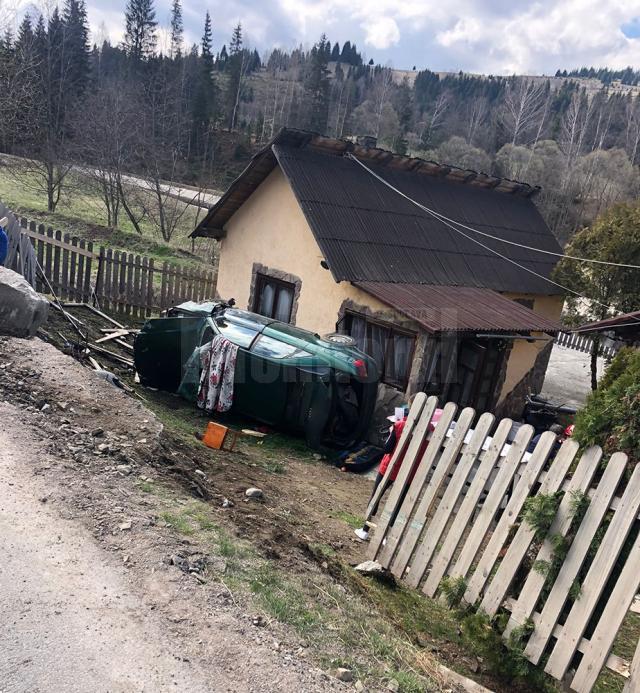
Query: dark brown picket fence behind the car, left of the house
{"points": [[119, 281]]}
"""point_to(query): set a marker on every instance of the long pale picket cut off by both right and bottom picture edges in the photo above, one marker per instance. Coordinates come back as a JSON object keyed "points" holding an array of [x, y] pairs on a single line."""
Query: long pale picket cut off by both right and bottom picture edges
{"points": [[601, 640]]}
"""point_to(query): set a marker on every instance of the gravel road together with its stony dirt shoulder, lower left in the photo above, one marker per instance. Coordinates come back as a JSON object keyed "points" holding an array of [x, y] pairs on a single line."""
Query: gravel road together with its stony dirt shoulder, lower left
{"points": [[88, 602]]}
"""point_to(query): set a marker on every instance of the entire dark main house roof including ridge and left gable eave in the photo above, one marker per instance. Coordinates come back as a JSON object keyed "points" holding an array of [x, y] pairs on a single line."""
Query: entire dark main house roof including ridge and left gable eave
{"points": [[367, 232]]}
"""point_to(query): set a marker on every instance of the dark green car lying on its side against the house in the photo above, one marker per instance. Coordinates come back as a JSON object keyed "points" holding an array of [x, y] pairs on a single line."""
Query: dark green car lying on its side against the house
{"points": [[285, 377]]}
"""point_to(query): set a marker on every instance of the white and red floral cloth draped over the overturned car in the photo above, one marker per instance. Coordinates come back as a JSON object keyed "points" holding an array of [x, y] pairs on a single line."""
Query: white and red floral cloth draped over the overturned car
{"points": [[218, 372]]}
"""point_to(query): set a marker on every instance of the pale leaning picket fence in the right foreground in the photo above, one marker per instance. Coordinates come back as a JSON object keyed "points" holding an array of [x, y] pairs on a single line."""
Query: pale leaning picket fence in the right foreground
{"points": [[460, 518]]}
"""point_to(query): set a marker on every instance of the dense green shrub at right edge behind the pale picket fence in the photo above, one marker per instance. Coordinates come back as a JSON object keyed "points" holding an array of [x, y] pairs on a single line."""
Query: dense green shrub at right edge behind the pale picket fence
{"points": [[611, 416]]}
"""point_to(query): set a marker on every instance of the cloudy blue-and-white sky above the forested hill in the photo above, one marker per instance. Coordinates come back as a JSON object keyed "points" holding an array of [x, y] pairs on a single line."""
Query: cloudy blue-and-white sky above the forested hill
{"points": [[483, 36]]}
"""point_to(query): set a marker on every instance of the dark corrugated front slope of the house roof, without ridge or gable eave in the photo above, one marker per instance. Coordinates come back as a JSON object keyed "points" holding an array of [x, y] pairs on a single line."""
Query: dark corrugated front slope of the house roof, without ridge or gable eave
{"points": [[368, 231]]}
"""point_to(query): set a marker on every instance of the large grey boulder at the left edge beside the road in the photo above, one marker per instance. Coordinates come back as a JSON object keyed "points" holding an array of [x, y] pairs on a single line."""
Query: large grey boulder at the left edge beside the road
{"points": [[22, 310]]}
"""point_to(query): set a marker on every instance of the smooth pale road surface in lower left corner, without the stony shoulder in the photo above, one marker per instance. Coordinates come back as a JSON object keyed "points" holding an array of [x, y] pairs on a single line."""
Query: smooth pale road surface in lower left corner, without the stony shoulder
{"points": [[70, 622]]}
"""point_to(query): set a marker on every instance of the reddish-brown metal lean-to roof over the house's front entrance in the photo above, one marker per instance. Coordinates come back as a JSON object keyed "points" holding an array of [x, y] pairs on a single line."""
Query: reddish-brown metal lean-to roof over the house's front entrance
{"points": [[459, 308]]}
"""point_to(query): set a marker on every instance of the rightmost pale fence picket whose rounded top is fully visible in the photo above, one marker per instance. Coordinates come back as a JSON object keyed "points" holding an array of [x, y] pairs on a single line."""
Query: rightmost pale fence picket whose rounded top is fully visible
{"points": [[575, 557]]}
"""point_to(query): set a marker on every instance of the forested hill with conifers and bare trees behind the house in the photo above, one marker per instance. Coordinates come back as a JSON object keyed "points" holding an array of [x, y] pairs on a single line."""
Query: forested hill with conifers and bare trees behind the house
{"points": [[196, 113]]}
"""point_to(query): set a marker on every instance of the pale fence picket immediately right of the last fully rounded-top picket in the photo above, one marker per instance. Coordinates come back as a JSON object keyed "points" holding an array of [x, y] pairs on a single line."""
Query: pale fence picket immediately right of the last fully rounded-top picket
{"points": [[596, 578]]}
